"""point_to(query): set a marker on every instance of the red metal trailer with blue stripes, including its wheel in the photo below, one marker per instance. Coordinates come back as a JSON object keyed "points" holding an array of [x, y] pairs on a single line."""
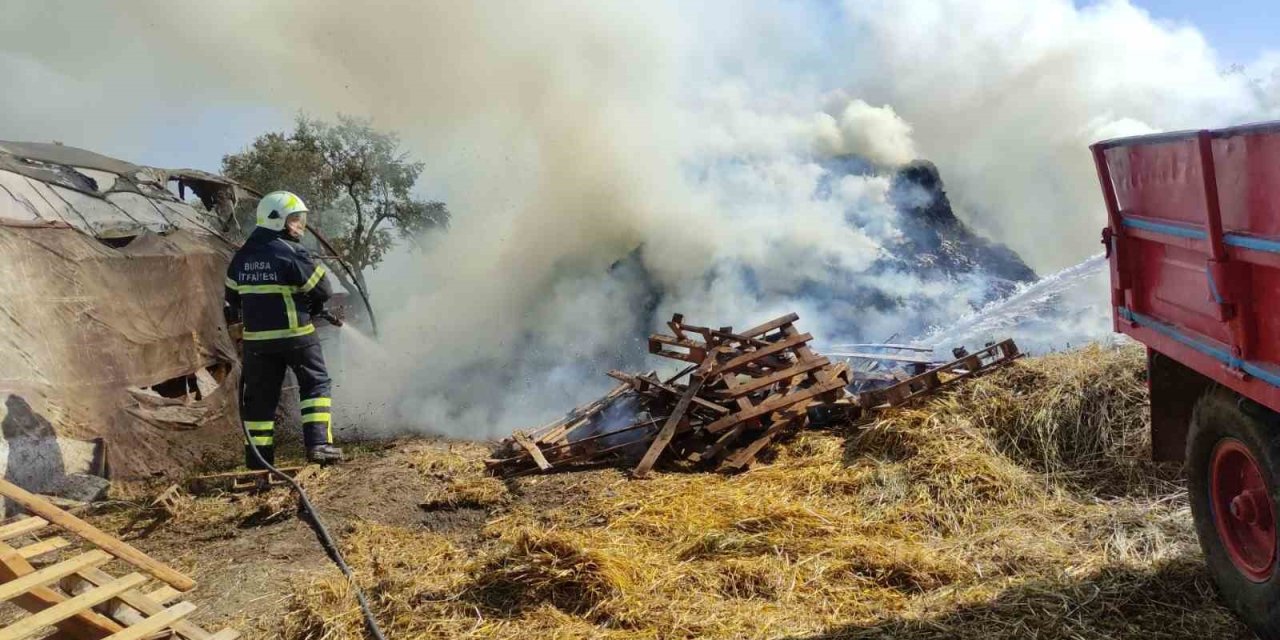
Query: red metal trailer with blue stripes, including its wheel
{"points": [[1194, 241]]}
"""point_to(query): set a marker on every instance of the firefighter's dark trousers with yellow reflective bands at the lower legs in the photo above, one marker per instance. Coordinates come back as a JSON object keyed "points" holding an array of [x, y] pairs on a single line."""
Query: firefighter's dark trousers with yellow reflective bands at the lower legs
{"points": [[260, 395]]}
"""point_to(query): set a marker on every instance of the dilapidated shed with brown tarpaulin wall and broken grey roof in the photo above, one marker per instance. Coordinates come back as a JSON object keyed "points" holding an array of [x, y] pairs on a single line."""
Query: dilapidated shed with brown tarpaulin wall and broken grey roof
{"points": [[88, 326]]}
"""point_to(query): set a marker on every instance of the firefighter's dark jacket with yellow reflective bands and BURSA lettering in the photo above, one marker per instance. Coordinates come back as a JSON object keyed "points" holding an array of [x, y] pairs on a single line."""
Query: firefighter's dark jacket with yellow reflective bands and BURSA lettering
{"points": [[276, 287]]}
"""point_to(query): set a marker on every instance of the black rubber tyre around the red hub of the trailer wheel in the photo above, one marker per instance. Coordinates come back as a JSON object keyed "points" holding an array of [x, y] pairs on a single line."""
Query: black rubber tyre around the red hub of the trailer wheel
{"points": [[1219, 415]]}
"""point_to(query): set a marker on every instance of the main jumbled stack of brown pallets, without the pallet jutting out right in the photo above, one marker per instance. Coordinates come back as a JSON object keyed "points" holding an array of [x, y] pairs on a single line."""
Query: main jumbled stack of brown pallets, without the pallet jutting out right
{"points": [[739, 394]]}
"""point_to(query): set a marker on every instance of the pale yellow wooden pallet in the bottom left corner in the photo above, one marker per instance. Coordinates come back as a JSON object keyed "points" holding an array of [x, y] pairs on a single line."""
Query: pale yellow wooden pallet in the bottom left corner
{"points": [[70, 592]]}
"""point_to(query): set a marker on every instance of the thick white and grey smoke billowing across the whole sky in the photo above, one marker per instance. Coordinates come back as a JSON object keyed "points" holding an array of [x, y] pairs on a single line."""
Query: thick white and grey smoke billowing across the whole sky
{"points": [[735, 158]]}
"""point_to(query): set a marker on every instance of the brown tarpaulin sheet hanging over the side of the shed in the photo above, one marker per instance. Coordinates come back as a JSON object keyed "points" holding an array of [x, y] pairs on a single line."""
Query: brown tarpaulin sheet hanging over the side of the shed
{"points": [[83, 324]]}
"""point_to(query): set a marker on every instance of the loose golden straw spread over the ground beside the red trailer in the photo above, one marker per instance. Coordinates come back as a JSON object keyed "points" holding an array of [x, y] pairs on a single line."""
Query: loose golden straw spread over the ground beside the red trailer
{"points": [[972, 516]]}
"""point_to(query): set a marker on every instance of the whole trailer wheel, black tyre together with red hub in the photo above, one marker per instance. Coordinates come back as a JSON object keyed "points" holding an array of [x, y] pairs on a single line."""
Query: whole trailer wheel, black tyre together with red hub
{"points": [[1232, 467]]}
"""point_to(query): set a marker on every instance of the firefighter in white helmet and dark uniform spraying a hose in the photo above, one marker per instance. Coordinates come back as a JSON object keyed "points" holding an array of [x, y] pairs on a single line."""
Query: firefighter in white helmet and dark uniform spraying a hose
{"points": [[276, 289]]}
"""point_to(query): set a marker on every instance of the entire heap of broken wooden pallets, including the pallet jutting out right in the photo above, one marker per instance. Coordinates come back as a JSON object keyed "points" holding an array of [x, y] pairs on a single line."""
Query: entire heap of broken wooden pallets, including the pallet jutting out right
{"points": [[739, 394]]}
